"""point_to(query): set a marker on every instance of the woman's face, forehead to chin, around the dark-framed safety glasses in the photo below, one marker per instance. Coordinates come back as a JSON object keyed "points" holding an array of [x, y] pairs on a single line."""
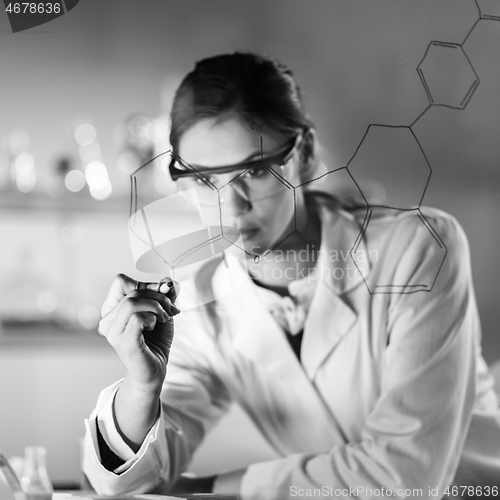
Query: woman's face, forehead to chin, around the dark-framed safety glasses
{"points": [[262, 220]]}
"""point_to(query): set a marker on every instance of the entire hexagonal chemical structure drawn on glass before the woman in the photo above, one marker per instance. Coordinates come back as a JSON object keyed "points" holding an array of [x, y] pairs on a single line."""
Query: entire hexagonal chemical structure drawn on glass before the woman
{"points": [[391, 155]]}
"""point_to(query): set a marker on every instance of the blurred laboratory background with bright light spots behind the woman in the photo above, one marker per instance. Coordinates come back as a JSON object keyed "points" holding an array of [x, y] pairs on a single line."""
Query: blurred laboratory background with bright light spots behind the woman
{"points": [[85, 101]]}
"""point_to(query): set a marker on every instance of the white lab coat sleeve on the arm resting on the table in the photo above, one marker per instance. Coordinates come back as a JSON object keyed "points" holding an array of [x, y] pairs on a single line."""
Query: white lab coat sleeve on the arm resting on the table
{"points": [[413, 437]]}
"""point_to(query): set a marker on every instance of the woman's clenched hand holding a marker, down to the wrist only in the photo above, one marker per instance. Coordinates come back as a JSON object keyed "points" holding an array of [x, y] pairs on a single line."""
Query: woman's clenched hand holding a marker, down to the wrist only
{"points": [[137, 322]]}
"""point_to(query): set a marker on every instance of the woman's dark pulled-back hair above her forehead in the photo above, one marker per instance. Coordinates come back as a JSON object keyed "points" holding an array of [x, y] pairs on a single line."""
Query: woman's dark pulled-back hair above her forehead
{"points": [[259, 89]]}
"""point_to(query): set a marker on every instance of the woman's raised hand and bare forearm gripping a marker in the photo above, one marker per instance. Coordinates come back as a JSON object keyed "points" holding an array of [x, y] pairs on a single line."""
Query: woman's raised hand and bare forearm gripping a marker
{"points": [[137, 322]]}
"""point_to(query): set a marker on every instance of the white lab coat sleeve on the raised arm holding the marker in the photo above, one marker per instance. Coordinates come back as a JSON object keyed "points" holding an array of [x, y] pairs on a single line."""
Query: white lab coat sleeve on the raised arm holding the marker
{"points": [[192, 400]]}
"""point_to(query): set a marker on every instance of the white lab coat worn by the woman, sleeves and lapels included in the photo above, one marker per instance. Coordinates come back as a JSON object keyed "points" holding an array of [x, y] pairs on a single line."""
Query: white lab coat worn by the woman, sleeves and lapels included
{"points": [[391, 393]]}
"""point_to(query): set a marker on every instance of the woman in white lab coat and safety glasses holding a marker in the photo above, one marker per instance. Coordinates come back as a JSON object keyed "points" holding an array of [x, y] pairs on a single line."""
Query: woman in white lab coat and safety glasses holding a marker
{"points": [[361, 394]]}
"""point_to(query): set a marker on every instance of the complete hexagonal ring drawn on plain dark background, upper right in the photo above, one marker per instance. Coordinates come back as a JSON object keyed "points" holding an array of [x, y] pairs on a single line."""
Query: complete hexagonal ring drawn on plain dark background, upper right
{"points": [[447, 75]]}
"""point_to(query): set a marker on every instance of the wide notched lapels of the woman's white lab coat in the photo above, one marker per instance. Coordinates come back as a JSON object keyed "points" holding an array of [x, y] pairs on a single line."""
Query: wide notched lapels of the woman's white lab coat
{"points": [[341, 267]]}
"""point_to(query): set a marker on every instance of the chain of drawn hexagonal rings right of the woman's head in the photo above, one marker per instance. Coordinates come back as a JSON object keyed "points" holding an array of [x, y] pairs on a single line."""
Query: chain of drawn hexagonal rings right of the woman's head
{"points": [[450, 80]]}
